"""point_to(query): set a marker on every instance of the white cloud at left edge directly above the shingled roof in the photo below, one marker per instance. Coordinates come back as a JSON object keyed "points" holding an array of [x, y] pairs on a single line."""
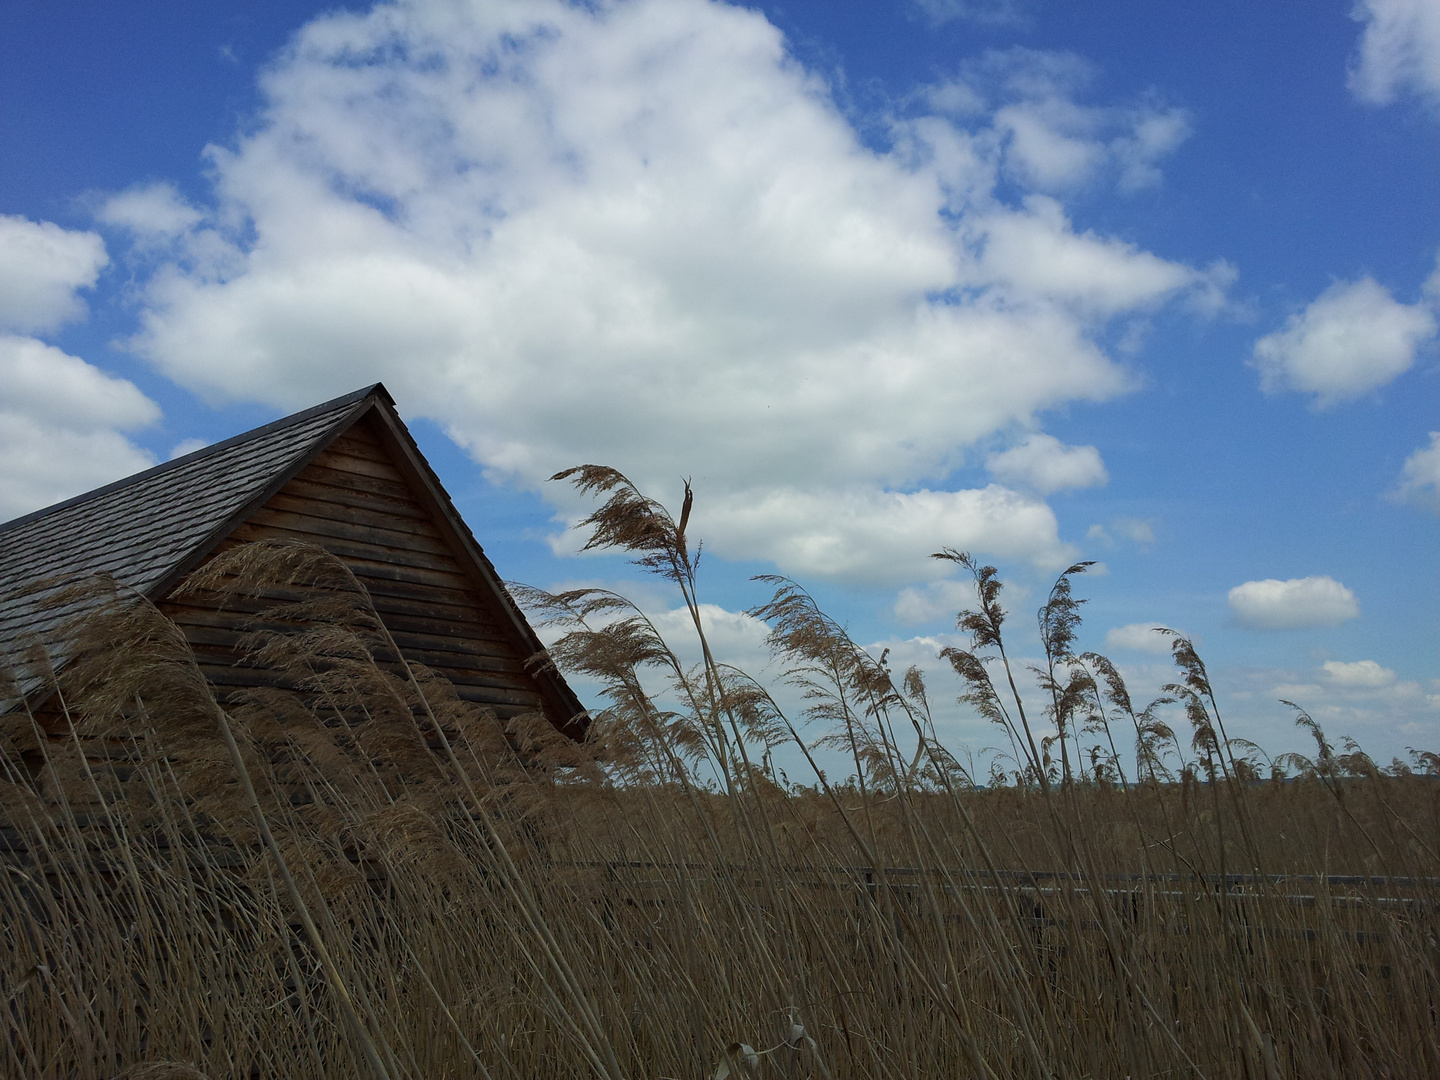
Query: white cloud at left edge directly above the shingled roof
{"points": [[61, 423]]}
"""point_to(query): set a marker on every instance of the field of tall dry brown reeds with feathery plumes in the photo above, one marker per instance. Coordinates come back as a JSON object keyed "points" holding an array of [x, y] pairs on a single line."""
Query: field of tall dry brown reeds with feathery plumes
{"points": [[364, 876]]}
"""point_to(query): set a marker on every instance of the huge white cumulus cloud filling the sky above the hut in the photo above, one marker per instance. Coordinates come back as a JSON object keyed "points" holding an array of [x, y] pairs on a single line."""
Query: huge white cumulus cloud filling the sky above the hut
{"points": [[640, 233]]}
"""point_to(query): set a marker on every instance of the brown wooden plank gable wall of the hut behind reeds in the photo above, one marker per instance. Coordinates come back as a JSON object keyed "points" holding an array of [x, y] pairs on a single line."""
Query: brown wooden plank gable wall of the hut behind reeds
{"points": [[355, 502]]}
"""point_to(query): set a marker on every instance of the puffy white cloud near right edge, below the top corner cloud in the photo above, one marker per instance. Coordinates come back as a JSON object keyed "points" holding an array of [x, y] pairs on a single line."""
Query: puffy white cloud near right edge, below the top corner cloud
{"points": [[1351, 341]]}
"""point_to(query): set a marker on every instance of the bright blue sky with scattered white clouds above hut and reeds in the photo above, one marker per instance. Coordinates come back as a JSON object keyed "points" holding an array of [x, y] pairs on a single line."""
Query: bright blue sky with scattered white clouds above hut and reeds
{"points": [[1148, 284]]}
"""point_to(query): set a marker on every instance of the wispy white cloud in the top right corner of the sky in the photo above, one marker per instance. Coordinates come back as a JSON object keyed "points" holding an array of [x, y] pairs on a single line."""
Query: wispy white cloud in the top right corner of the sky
{"points": [[1400, 50]]}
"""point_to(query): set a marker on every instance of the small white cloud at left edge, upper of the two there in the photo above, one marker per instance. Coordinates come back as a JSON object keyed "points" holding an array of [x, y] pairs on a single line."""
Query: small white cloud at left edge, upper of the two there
{"points": [[41, 269]]}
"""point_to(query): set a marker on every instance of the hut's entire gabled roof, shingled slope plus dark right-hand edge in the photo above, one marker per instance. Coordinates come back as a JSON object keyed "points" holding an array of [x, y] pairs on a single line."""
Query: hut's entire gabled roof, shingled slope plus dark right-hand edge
{"points": [[155, 528]]}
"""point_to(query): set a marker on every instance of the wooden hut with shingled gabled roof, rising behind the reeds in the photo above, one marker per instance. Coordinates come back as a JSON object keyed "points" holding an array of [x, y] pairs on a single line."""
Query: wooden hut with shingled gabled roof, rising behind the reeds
{"points": [[346, 476]]}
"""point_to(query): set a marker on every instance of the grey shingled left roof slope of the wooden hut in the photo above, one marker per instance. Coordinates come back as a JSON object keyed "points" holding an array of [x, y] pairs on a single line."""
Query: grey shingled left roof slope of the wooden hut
{"points": [[148, 529]]}
